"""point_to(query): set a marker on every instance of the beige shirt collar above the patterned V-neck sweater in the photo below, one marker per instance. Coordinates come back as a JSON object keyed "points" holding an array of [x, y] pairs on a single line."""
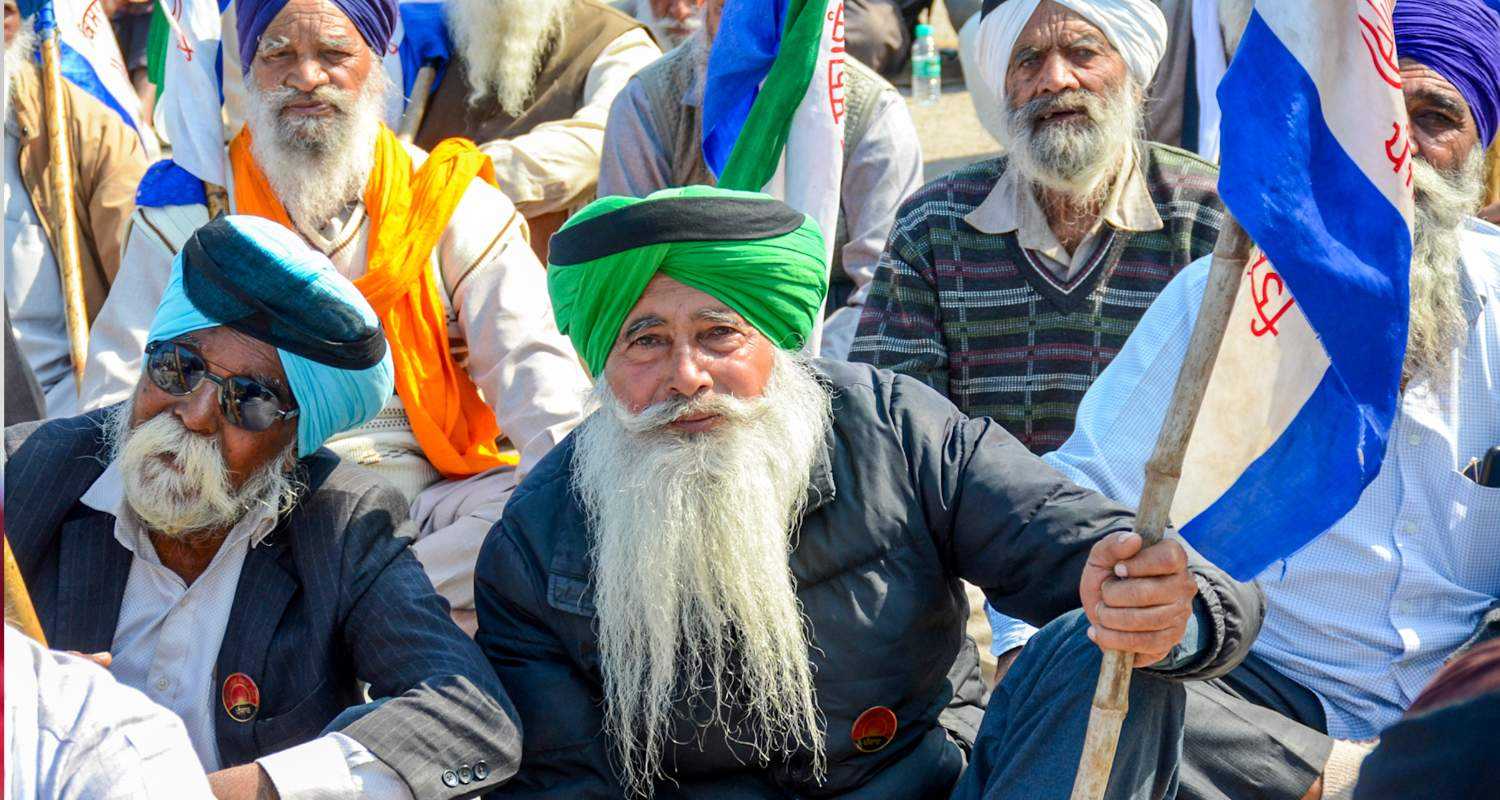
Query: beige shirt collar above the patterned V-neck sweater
{"points": [[1012, 206]]}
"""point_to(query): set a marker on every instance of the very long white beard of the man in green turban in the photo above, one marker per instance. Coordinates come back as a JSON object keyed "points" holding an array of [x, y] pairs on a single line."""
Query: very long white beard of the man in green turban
{"points": [[692, 570]]}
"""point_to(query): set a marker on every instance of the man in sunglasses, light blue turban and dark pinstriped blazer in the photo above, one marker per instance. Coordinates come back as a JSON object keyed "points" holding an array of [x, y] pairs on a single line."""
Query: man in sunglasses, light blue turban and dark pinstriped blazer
{"points": [[202, 541]]}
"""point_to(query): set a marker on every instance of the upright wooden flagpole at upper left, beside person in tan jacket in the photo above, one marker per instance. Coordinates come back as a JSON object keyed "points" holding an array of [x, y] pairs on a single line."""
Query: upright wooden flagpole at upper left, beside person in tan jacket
{"points": [[76, 310]]}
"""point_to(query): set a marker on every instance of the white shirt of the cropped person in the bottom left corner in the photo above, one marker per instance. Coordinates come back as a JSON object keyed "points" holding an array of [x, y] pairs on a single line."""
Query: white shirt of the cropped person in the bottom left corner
{"points": [[74, 733]]}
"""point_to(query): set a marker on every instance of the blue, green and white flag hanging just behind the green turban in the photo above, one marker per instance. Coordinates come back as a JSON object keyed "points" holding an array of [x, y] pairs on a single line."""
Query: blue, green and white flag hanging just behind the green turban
{"points": [[775, 106]]}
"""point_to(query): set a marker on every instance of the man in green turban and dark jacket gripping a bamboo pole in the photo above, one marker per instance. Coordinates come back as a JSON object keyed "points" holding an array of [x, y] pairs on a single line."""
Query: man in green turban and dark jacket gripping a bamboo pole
{"points": [[742, 576]]}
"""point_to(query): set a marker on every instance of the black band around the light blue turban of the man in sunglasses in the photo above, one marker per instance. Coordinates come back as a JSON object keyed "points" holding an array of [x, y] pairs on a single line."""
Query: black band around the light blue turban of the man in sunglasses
{"points": [[242, 286]]}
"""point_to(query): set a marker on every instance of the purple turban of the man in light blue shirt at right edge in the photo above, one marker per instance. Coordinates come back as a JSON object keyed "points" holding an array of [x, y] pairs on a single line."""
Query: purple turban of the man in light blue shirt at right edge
{"points": [[1459, 40]]}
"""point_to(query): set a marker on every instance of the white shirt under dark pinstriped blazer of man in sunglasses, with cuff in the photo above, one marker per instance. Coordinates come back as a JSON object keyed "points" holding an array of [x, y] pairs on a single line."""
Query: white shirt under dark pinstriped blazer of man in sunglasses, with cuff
{"points": [[167, 643]]}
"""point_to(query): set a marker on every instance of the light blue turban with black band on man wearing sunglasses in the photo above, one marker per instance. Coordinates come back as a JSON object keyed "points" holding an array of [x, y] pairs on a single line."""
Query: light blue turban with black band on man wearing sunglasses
{"points": [[262, 280]]}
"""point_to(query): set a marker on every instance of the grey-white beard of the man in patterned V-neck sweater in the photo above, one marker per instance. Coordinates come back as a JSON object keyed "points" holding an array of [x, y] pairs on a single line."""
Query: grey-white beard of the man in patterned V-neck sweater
{"points": [[1076, 160]]}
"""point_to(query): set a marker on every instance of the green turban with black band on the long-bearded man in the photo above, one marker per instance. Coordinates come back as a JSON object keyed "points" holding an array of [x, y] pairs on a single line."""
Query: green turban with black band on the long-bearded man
{"points": [[751, 251]]}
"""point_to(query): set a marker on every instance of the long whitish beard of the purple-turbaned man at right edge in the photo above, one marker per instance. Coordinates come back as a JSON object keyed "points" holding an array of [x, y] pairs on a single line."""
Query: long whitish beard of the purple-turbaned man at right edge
{"points": [[1438, 322]]}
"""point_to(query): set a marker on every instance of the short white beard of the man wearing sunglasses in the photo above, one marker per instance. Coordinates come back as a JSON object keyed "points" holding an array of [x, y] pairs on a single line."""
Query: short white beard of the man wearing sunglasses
{"points": [[196, 499]]}
